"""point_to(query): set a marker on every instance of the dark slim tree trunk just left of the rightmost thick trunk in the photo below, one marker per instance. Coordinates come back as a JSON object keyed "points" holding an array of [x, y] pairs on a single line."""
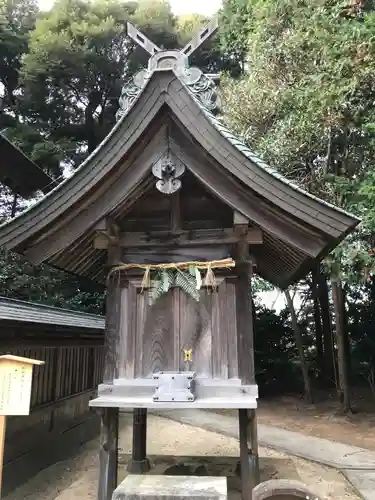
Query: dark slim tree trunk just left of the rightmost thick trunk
{"points": [[329, 349]]}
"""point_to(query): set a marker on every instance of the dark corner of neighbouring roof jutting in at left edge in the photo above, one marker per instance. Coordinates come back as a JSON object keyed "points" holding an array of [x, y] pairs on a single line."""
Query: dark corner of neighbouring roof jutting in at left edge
{"points": [[19, 173]]}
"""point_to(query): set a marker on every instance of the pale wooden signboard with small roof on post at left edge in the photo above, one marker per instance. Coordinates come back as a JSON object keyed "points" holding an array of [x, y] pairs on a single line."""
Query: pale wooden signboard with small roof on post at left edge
{"points": [[16, 374]]}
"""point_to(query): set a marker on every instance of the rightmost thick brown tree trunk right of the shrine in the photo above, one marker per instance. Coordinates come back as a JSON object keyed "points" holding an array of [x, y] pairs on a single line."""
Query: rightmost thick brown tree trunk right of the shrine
{"points": [[343, 385]]}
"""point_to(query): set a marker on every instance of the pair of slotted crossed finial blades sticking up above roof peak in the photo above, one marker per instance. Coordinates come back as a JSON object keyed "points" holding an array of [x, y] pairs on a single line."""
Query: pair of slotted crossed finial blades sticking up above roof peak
{"points": [[204, 34]]}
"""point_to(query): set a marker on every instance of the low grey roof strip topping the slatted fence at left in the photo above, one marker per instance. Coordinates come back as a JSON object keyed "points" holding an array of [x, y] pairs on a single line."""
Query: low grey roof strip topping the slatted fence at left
{"points": [[29, 312]]}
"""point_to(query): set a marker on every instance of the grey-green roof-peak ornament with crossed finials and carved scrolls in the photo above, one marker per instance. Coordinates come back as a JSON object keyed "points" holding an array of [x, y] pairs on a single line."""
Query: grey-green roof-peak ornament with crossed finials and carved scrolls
{"points": [[202, 86]]}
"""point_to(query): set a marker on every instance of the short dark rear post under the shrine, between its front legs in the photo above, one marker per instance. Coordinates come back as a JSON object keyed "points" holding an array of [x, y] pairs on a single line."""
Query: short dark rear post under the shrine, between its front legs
{"points": [[139, 462]]}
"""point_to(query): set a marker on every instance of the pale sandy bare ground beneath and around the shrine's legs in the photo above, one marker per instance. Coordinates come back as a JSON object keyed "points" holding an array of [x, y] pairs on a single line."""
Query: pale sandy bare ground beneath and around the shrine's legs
{"points": [[77, 478]]}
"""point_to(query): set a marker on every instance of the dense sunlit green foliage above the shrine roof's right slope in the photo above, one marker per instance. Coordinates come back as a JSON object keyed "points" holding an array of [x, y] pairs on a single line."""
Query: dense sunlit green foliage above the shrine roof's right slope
{"points": [[305, 102]]}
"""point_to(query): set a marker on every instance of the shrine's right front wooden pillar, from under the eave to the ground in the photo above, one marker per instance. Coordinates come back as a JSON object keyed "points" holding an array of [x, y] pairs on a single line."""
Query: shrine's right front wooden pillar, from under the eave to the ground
{"points": [[249, 461]]}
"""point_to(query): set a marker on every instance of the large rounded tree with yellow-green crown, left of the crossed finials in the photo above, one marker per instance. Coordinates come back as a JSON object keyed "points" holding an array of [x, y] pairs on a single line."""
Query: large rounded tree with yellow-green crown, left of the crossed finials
{"points": [[78, 54]]}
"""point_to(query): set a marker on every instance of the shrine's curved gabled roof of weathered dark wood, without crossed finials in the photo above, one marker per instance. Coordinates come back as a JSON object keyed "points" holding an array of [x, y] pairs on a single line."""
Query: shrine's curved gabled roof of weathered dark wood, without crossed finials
{"points": [[162, 109]]}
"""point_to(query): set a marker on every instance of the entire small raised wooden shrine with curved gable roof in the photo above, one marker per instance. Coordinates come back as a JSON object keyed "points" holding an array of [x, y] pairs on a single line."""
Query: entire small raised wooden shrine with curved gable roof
{"points": [[171, 201]]}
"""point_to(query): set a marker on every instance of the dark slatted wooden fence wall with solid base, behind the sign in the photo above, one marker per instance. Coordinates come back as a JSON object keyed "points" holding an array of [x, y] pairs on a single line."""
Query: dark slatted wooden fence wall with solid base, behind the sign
{"points": [[60, 420]]}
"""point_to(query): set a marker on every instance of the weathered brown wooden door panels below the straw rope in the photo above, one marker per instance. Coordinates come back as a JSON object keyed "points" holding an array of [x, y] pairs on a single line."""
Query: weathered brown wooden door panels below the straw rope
{"points": [[153, 337]]}
